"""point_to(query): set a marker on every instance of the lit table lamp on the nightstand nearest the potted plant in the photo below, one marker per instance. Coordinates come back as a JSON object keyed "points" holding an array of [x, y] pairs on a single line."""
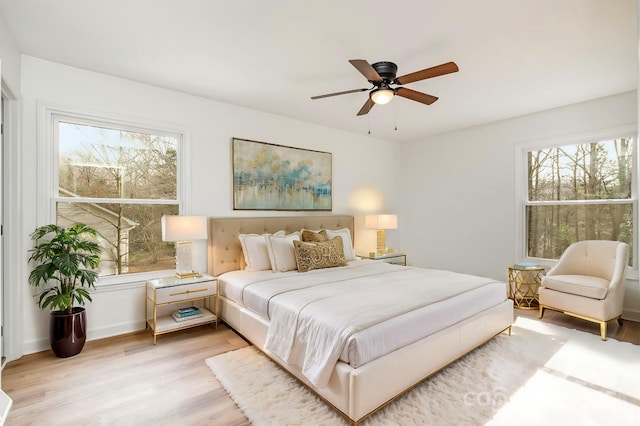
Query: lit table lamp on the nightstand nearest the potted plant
{"points": [[182, 230]]}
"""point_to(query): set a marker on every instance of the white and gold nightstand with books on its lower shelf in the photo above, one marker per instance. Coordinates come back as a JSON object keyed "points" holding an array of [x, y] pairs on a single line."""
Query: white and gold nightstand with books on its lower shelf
{"points": [[166, 295]]}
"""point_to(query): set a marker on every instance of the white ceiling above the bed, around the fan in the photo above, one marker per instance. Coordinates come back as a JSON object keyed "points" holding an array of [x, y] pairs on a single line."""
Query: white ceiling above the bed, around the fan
{"points": [[515, 56]]}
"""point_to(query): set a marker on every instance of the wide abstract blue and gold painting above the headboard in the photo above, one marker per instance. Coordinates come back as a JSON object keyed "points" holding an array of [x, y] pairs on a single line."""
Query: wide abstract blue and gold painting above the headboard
{"points": [[268, 176]]}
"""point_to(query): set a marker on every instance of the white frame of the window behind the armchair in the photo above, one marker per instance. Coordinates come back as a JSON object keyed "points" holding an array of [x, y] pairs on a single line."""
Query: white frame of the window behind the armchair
{"points": [[522, 190]]}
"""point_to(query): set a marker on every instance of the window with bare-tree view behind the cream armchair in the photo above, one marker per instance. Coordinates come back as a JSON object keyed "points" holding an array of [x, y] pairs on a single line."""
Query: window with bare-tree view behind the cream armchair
{"points": [[583, 191]]}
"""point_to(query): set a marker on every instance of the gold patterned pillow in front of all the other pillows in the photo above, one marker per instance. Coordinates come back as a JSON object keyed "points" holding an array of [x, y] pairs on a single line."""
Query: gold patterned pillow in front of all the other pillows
{"points": [[326, 254]]}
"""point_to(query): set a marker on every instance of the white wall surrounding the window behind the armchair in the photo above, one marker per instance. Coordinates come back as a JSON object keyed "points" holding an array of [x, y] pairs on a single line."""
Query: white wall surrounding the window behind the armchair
{"points": [[458, 207]]}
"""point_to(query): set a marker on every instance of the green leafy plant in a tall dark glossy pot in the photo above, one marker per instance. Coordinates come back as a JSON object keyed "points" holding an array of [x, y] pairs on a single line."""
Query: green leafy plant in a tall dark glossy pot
{"points": [[66, 260]]}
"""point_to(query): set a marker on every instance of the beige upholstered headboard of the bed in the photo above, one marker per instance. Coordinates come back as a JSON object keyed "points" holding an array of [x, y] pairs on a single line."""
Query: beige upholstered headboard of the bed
{"points": [[224, 246]]}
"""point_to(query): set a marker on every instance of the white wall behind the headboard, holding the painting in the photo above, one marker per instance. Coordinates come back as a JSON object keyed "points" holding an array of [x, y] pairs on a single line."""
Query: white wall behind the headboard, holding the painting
{"points": [[358, 187]]}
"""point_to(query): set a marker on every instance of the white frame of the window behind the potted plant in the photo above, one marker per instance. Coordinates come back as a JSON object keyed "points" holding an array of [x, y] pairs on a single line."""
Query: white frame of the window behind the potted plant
{"points": [[47, 173]]}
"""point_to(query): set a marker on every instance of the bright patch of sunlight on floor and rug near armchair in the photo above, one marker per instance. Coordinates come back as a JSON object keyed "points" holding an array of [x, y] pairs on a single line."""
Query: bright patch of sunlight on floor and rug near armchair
{"points": [[599, 377]]}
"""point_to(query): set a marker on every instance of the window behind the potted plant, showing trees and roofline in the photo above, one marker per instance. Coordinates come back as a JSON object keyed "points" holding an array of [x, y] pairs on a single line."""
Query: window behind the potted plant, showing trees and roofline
{"points": [[120, 180]]}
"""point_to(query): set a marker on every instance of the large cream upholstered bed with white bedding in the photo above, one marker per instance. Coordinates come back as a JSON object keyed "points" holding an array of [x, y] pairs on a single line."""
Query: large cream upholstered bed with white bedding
{"points": [[369, 359]]}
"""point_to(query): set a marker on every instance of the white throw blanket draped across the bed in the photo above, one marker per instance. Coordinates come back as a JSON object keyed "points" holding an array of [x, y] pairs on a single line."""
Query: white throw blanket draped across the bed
{"points": [[323, 315]]}
